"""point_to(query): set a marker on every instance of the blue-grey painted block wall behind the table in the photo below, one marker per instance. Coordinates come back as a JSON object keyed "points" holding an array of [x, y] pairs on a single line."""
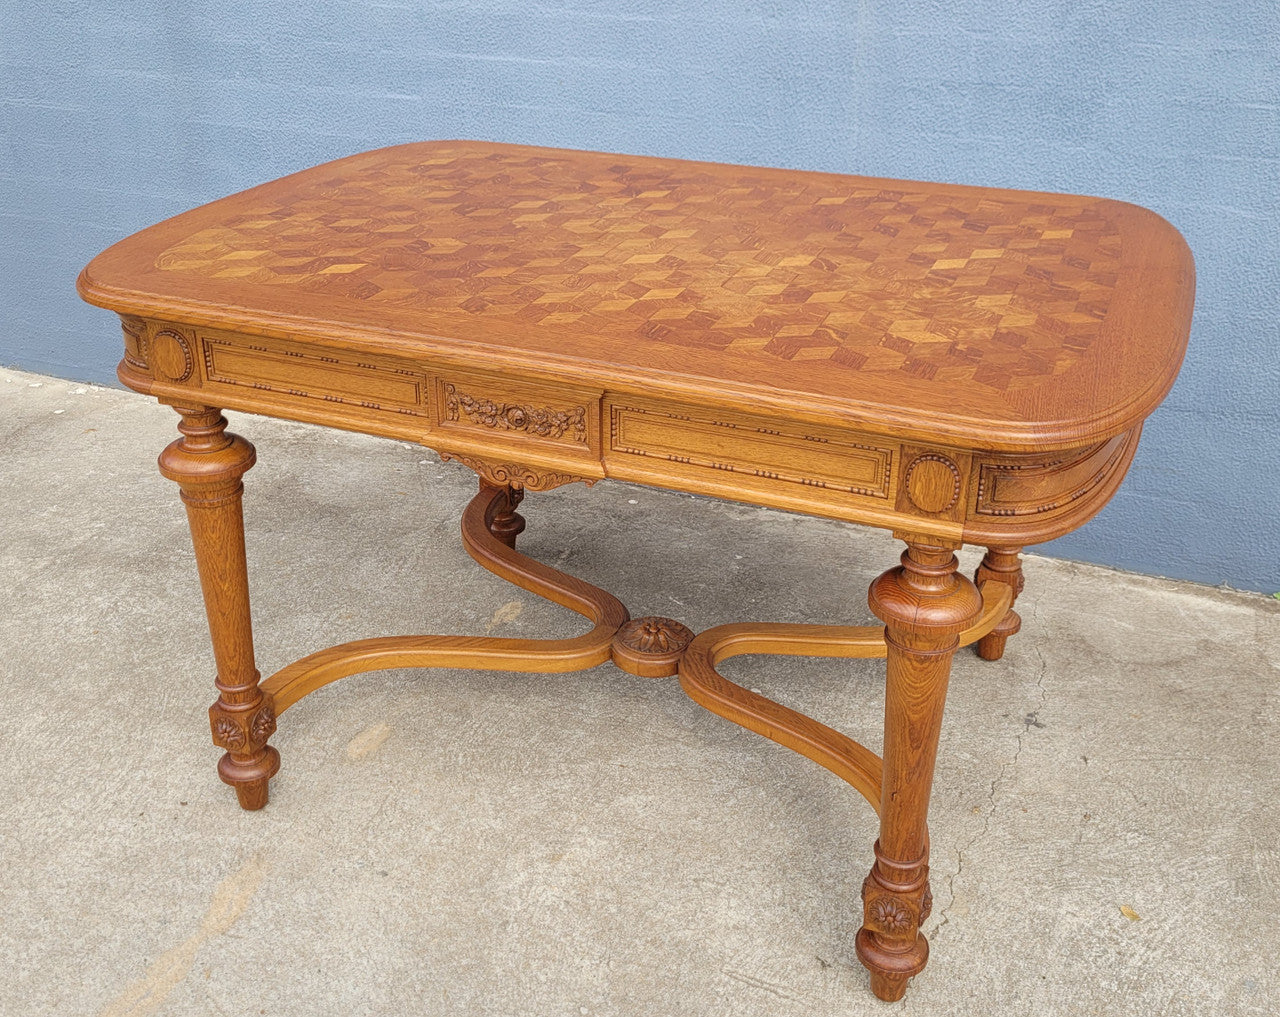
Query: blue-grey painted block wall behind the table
{"points": [[118, 114]]}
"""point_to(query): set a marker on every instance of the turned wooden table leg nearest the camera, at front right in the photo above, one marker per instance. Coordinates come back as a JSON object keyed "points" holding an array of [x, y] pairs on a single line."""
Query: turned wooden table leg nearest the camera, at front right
{"points": [[925, 606]]}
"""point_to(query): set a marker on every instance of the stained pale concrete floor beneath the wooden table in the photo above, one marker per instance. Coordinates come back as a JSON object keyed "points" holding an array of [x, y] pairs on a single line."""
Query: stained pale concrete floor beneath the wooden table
{"points": [[469, 844]]}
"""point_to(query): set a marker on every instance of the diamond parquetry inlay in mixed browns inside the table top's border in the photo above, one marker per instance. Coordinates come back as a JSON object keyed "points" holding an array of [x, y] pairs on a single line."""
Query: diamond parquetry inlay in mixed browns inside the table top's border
{"points": [[935, 282]]}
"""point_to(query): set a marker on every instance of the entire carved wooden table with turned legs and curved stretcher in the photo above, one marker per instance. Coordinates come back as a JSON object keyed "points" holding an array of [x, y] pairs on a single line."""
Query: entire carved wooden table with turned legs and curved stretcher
{"points": [[954, 364]]}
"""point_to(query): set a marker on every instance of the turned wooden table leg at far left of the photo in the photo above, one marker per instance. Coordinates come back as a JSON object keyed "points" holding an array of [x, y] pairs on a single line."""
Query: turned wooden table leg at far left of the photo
{"points": [[208, 465]]}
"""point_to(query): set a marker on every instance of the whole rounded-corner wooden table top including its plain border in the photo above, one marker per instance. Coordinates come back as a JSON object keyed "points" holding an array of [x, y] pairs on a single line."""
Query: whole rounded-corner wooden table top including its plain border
{"points": [[1004, 319]]}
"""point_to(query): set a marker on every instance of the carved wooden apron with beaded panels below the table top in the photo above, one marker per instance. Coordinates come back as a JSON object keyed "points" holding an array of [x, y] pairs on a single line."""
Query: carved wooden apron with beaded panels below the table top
{"points": [[541, 433]]}
